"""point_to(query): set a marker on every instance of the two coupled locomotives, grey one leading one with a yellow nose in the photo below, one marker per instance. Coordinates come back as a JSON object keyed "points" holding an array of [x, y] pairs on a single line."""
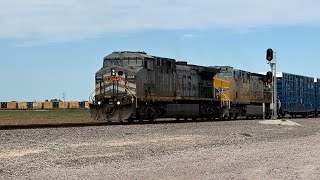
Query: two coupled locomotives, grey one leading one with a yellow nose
{"points": [[136, 86]]}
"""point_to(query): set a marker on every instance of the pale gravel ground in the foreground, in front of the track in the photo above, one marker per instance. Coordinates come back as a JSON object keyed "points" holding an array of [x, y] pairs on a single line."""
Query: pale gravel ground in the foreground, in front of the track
{"points": [[205, 150]]}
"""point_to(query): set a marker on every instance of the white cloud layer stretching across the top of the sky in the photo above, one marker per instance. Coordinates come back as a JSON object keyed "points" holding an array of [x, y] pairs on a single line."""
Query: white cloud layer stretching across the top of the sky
{"points": [[68, 20]]}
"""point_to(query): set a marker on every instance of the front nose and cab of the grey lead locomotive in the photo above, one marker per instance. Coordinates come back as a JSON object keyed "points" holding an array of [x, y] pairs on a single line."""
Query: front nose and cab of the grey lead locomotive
{"points": [[116, 85]]}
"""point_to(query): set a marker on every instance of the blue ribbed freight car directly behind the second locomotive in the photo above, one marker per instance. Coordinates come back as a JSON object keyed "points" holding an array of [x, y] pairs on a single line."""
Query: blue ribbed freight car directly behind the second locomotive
{"points": [[296, 94]]}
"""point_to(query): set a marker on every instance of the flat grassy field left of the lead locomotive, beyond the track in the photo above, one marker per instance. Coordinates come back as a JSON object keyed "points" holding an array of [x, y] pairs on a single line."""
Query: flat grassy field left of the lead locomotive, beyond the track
{"points": [[13, 117]]}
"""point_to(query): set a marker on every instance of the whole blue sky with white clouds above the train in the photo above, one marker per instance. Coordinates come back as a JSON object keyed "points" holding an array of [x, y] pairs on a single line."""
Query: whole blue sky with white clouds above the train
{"points": [[48, 47]]}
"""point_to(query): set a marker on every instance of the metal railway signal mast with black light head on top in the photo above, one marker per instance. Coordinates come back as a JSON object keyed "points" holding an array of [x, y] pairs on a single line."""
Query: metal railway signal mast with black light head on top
{"points": [[271, 57]]}
